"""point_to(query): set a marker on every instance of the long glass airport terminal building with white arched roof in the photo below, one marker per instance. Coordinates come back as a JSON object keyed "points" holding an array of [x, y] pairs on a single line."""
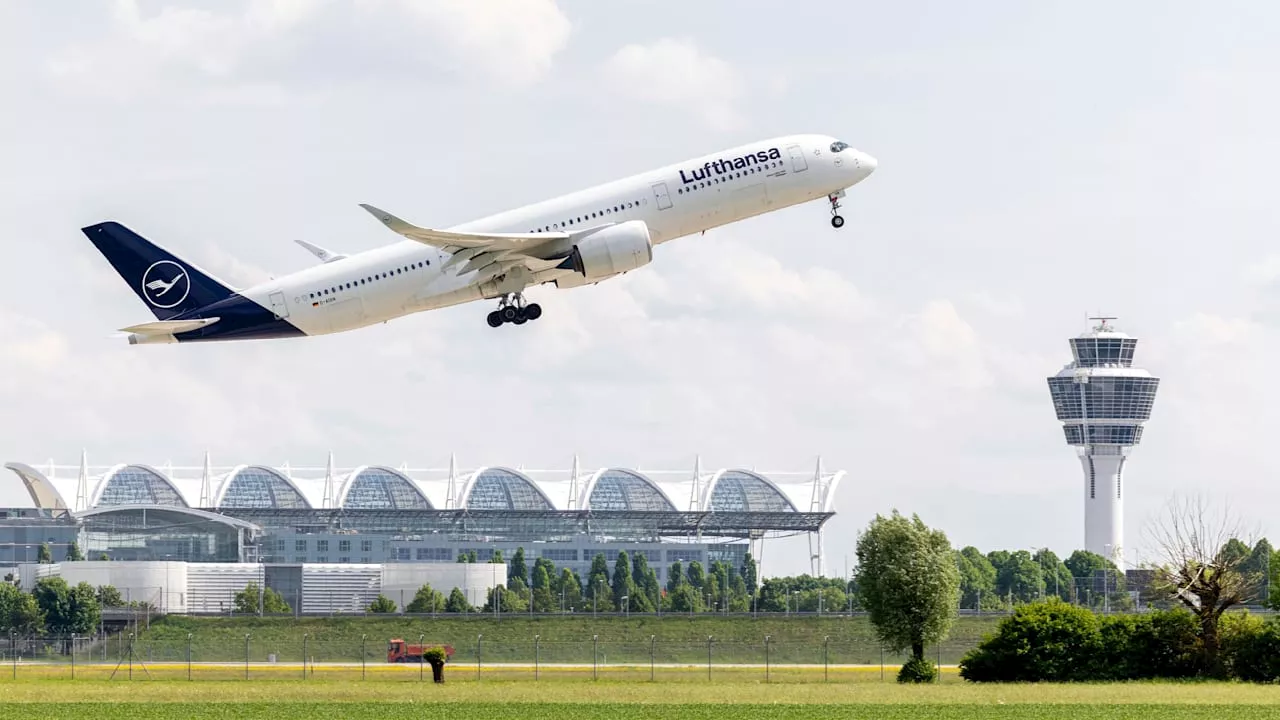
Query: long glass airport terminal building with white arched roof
{"points": [[376, 516]]}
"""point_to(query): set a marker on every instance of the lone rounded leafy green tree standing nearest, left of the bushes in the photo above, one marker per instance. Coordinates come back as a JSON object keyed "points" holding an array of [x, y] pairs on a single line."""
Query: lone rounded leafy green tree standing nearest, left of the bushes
{"points": [[909, 584]]}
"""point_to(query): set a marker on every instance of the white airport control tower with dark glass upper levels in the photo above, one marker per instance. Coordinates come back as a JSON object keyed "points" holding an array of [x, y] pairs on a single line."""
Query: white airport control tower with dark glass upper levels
{"points": [[1104, 402]]}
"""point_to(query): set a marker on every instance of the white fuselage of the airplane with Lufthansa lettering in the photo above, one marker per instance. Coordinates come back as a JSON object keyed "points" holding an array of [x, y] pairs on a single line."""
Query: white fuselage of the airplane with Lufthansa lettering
{"points": [[674, 202]]}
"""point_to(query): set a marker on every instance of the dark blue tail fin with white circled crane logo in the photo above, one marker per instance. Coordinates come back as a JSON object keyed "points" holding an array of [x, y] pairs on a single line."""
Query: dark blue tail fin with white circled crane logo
{"points": [[167, 284]]}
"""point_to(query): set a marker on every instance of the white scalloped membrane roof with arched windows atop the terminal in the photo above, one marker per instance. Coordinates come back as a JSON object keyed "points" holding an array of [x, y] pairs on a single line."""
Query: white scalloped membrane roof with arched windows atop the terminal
{"points": [[380, 487]]}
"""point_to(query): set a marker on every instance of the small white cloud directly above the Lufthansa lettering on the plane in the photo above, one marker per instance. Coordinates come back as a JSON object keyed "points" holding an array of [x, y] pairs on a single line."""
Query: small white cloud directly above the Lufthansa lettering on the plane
{"points": [[675, 72]]}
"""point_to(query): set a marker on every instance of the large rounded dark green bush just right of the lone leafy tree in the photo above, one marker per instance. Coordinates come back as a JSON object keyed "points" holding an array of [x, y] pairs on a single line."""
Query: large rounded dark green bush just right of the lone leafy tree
{"points": [[1041, 641]]}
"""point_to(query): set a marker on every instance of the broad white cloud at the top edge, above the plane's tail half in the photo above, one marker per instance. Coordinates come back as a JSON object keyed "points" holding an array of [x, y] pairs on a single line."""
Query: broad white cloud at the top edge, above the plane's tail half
{"points": [[241, 56]]}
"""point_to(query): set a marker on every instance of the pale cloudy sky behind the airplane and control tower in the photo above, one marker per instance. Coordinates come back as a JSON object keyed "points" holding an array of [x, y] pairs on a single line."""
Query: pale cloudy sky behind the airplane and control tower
{"points": [[1037, 163]]}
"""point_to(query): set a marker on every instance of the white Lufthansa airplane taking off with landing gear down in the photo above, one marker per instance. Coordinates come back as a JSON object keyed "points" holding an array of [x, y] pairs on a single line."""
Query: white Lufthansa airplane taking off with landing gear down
{"points": [[570, 241]]}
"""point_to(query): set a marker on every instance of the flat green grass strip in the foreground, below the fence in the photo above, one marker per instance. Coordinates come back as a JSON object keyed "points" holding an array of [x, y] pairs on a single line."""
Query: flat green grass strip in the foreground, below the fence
{"points": [[627, 701]]}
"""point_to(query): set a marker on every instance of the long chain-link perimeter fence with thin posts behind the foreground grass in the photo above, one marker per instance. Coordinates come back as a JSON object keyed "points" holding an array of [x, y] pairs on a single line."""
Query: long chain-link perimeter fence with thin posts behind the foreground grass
{"points": [[125, 657]]}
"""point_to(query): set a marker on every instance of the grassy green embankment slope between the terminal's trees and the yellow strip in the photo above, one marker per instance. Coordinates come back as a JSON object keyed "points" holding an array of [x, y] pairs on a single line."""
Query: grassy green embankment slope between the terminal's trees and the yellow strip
{"points": [[580, 639]]}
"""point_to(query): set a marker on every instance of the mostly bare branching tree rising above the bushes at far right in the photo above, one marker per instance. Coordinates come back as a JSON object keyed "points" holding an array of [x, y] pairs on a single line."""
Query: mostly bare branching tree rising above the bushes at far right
{"points": [[1196, 567]]}
